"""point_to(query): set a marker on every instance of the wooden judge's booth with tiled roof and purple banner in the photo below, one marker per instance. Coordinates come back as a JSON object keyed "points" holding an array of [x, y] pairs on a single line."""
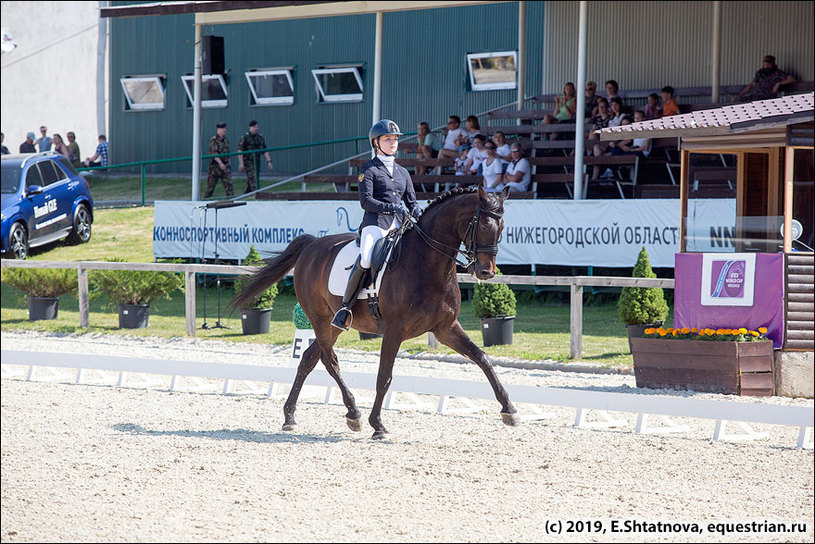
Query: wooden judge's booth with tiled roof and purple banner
{"points": [[753, 267]]}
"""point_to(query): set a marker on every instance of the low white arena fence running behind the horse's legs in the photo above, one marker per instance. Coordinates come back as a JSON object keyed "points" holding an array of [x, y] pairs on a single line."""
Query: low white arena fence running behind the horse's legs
{"points": [[645, 406]]}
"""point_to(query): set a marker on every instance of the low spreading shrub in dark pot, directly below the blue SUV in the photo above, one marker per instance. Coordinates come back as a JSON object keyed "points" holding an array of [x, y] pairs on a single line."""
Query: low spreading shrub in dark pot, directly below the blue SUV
{"points": [[43, 286]]}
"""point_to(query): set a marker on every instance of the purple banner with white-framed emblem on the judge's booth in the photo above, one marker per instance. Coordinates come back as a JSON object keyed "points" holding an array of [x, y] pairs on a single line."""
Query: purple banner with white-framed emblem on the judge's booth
{"points": [[730, 279]]}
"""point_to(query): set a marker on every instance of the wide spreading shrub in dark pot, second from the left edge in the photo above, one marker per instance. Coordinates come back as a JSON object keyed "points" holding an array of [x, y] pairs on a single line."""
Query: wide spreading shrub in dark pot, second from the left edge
{"points": [[133, 291]]}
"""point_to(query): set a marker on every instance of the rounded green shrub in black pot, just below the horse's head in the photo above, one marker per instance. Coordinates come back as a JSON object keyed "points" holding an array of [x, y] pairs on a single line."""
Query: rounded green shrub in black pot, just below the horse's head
{"points": [[494, 305]]}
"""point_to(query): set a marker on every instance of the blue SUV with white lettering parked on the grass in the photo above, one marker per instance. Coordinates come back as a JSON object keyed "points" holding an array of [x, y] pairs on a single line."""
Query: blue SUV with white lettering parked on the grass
{"points": [[44, 199]]}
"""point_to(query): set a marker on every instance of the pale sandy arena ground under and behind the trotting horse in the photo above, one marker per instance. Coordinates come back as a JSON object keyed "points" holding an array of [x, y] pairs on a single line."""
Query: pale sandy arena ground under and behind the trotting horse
{"points": [[106, 464]]}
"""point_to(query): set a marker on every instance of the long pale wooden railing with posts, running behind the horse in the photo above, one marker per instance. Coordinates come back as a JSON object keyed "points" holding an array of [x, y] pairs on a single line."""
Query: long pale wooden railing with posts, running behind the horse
{"points": [[575, 283]]}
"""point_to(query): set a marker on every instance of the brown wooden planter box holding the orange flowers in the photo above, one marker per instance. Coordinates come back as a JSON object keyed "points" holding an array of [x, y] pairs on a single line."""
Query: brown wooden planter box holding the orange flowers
{"points": [[733, 368]]}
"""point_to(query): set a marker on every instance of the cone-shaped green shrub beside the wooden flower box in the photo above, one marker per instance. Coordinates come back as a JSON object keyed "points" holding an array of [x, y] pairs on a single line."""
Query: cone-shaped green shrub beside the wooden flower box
{"points": [[642, 307]]}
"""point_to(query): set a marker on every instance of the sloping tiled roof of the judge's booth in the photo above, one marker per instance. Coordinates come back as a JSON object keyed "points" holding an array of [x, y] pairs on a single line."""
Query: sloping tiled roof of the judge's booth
{"points": [[732, 119]]}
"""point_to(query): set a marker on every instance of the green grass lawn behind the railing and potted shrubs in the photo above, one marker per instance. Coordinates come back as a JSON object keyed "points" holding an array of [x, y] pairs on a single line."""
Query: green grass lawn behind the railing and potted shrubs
{"points": [[541, 329]]}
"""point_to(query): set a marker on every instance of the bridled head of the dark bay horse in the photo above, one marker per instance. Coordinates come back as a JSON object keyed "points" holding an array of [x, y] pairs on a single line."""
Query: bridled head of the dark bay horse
{"points": [[483, 233]]}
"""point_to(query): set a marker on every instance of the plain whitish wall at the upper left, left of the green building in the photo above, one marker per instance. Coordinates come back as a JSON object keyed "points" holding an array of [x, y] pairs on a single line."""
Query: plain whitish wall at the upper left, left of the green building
{"points": [[51, 77]]}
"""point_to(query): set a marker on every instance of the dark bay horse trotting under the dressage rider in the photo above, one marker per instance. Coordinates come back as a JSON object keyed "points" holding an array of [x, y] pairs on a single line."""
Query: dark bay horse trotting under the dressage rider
{"points": [[419, 294]]}
